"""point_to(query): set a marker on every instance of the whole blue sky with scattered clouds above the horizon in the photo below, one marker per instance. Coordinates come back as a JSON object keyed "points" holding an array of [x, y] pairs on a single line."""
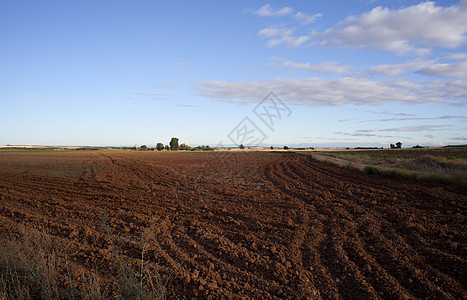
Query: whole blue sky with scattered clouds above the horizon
{"points": [[347, 73]]}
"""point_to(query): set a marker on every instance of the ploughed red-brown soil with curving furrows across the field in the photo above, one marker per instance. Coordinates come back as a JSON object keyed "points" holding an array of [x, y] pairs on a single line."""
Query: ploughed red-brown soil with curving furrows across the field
{"points": [[236, 225]]}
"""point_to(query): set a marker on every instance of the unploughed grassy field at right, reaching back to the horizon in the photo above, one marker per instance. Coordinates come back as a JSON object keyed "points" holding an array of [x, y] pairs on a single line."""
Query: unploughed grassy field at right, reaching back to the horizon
{"points": [[444, 164]]}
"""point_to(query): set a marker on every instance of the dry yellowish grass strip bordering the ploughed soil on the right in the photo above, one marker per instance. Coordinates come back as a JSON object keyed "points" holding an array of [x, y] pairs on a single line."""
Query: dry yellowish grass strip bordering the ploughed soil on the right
{"points": [[425, 167]]}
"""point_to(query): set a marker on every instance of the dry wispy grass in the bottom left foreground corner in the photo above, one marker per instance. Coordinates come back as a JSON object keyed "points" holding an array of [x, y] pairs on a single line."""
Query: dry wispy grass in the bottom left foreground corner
{"points": [[33, 266]]}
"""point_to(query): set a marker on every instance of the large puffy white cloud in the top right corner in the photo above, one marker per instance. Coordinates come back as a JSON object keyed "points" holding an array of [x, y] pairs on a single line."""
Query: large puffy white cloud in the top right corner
{"points": [[413, 29]]}
